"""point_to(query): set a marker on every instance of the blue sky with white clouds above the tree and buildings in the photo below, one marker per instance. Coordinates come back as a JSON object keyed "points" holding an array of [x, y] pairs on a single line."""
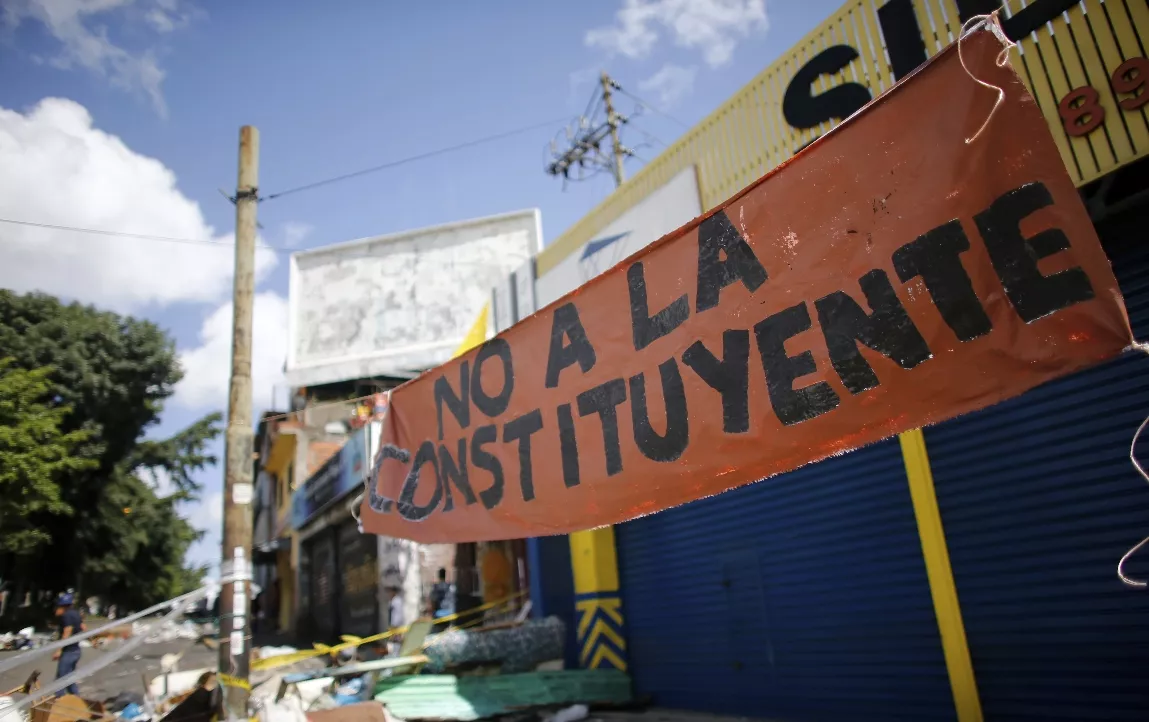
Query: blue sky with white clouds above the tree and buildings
{"points": [[145, 99]]}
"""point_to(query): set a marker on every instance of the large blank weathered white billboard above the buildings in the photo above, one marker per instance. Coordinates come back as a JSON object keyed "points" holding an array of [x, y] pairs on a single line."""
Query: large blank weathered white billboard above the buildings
{"points": [[398, 305]]}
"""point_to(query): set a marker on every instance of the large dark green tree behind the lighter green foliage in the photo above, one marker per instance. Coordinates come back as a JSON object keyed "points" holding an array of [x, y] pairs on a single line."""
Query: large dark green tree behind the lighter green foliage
{"points": [[107, 379]]}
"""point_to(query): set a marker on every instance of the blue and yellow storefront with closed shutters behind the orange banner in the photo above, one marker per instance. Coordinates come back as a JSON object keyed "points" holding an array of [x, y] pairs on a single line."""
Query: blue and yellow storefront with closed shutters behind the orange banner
{"points": [[826, 593]]}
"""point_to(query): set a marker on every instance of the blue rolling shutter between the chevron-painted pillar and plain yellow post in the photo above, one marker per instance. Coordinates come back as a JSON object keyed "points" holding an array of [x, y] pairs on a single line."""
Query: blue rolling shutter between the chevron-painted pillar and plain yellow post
{"points": [[801, 597]]}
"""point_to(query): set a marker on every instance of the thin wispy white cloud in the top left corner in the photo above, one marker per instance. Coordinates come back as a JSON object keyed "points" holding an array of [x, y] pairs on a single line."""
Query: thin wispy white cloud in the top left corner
{"points": [[87, 44]]}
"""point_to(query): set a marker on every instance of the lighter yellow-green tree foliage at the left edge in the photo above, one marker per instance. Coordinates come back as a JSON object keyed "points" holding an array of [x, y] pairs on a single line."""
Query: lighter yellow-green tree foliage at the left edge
{"points": [[34, 455]]}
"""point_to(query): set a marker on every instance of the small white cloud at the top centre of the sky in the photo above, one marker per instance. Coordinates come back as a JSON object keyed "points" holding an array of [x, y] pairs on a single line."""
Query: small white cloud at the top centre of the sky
{"points": [[714, 27]]}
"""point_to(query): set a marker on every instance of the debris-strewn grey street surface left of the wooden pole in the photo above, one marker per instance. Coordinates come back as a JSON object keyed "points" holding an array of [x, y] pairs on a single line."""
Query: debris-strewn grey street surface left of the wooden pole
{"points": [[124, 675]]}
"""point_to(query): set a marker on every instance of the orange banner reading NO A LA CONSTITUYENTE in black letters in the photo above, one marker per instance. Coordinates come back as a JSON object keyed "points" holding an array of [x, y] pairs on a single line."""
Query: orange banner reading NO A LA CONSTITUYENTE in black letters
{"points": [[888, 278]]}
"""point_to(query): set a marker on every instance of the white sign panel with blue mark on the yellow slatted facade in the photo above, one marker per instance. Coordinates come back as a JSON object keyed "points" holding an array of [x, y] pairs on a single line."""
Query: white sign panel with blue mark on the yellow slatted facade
{"points": [[660, 213]]}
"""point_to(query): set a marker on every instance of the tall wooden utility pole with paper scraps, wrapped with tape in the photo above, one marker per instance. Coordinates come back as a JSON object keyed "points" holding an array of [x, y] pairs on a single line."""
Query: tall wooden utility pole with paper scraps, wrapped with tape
{"points": [[235, 643]]}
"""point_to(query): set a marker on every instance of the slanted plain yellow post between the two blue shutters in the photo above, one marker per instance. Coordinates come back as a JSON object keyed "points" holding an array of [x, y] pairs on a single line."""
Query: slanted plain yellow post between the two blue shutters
{"points": [[940, 574]]}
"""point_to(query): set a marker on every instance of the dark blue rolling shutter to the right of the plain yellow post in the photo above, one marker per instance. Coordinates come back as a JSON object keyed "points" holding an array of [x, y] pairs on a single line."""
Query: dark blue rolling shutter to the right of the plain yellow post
{"points": [[1039, 502]]}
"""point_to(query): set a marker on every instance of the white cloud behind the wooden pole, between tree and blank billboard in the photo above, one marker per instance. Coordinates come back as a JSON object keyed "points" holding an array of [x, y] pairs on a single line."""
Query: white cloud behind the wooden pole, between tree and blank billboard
{"points": [[206, 367]]}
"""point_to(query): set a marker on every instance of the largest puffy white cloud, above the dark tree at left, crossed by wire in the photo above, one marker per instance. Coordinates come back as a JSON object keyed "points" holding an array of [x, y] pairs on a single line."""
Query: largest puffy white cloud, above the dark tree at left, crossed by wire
{"points": [[57, 168]]}
